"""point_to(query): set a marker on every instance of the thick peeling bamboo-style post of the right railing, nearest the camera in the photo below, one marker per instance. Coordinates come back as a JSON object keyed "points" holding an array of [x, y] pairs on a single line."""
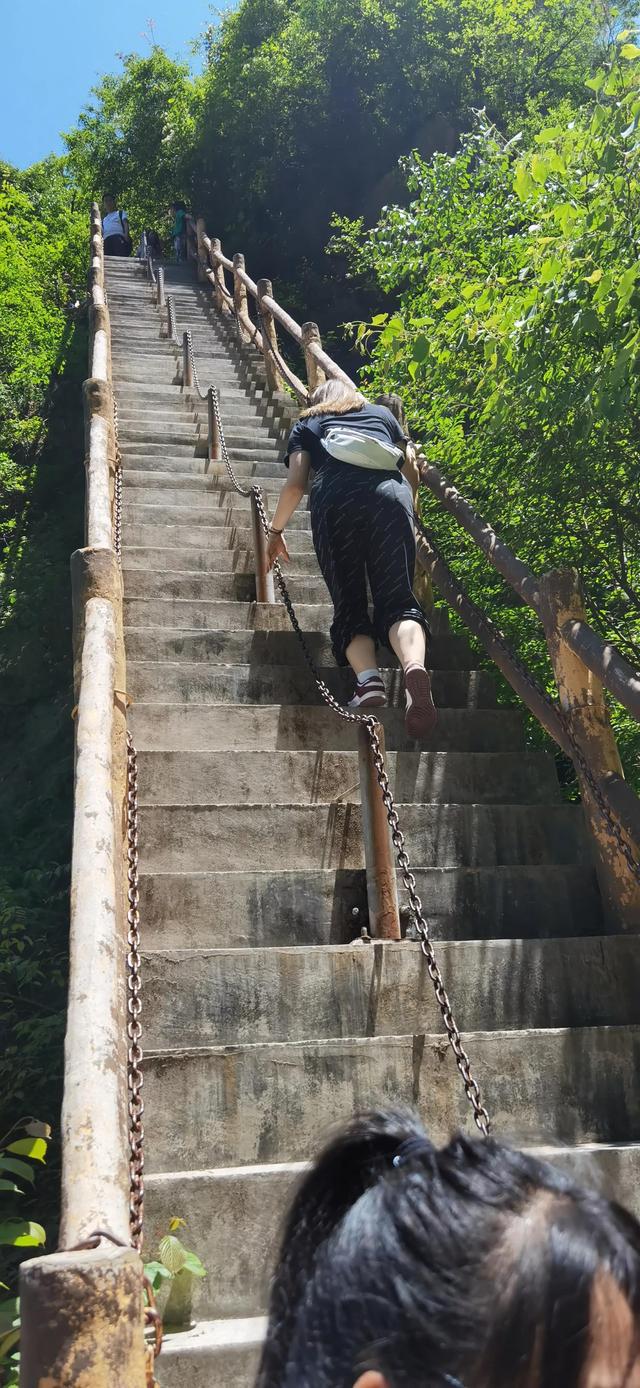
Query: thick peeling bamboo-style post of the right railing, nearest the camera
{"points": [[584, 706]]}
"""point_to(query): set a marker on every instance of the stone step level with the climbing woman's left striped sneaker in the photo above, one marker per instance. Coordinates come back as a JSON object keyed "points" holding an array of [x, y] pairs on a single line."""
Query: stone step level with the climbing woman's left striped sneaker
{"points": [[158, 682]]}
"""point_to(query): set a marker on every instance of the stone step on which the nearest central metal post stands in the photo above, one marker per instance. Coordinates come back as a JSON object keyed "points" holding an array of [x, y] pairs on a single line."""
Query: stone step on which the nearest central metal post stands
{"points": [[244, 997]]}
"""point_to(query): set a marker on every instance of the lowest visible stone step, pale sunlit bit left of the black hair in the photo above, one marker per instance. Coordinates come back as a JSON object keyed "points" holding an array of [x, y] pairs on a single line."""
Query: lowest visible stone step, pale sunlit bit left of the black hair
{"points": [[214, 1353]]}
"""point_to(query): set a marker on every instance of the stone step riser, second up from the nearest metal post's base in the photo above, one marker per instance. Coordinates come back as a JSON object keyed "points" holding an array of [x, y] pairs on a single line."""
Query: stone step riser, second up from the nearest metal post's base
{"points": [[203, 838]]}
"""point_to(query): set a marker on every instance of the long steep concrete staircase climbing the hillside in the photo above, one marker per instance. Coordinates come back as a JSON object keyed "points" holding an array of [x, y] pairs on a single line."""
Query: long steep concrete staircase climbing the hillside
{"points": [[266, 1017]]}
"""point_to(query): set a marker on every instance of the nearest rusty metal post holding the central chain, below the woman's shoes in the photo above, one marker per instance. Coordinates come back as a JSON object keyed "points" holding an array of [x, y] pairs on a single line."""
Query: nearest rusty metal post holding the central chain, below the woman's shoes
{"points": [[382, 892]]}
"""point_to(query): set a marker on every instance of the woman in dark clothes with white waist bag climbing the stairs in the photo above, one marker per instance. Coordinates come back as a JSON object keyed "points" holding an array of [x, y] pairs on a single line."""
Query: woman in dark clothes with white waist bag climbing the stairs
{"points": [[362, 523]]}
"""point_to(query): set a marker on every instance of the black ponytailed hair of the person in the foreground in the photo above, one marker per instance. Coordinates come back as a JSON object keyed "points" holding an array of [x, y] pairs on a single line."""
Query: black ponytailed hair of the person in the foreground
{"points": [[466, 1268]]}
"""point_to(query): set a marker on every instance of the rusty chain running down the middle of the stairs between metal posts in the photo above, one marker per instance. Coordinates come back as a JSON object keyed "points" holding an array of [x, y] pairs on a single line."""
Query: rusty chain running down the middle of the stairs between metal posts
{"points": [[370, 724]]}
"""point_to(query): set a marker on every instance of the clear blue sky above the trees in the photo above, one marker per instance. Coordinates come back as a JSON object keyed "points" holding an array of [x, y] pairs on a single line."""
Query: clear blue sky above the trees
{"points": [[55, 51]]}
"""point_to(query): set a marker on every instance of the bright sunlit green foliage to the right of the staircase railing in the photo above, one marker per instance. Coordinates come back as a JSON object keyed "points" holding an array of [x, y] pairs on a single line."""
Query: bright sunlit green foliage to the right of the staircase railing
{"points": [[519, 350]]}
